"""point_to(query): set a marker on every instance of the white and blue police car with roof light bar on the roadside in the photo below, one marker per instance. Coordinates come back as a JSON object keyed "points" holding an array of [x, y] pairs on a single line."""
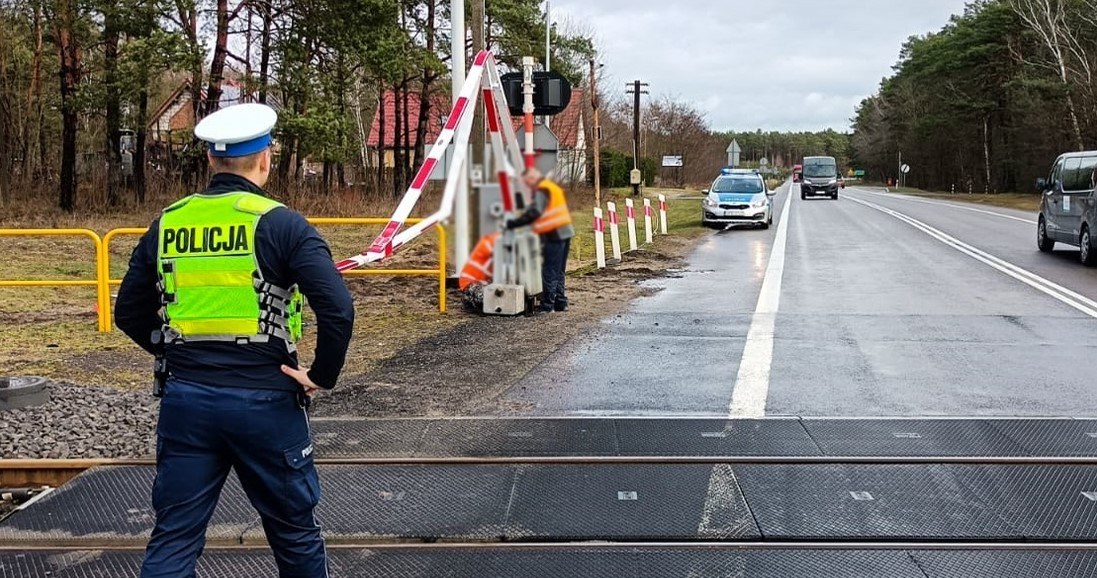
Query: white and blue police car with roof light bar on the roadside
{"points": [[739, 197]]}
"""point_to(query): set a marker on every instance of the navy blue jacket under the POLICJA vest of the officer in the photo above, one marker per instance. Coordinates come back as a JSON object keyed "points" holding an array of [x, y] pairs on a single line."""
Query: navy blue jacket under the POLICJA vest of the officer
{"points": [[290, 252]]}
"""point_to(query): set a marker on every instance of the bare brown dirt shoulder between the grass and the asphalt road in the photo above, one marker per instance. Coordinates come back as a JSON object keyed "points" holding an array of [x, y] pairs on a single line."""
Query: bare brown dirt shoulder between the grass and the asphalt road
{"points": [[465, 370]]}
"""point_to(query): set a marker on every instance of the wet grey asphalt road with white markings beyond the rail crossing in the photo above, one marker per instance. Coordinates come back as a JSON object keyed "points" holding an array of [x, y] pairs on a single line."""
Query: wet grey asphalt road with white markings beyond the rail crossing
{"points": [[874, 305]]}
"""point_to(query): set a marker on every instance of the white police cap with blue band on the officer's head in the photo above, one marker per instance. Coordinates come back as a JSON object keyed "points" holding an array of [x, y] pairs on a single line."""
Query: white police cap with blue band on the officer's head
{"points": [[239, 131]]}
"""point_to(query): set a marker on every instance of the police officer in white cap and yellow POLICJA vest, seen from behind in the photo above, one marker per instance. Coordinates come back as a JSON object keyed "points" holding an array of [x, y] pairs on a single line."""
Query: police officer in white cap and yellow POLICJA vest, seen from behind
{"points": [[218, 284]]}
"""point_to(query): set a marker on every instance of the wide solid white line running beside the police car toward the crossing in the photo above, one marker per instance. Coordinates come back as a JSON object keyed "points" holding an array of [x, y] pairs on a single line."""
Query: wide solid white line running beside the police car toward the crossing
{"points": [[752, 384]]}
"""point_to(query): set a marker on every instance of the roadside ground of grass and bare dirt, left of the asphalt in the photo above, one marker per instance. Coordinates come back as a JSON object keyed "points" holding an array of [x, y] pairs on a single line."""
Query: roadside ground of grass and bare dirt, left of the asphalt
{"points": [[405, 359]]}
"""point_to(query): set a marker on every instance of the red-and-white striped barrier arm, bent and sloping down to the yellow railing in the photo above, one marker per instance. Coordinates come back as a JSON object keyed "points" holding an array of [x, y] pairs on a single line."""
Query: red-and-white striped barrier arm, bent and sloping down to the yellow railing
{"points": [[460, 118]]}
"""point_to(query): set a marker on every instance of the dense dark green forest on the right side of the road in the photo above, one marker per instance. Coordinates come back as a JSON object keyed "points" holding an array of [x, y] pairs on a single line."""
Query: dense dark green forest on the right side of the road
{"points": [[990, 101]]}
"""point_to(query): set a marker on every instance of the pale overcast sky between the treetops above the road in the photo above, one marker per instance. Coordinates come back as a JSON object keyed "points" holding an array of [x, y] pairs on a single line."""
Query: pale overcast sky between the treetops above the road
{"points": [[782, 65]]}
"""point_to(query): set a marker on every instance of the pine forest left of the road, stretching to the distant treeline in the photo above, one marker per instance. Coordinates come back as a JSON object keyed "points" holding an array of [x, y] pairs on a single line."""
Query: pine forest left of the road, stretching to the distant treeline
{"points": [[82, 80]]}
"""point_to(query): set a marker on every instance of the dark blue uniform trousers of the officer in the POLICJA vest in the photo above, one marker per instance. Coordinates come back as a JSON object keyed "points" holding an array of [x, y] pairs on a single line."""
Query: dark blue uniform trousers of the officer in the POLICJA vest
{"points": [[264, 436]]}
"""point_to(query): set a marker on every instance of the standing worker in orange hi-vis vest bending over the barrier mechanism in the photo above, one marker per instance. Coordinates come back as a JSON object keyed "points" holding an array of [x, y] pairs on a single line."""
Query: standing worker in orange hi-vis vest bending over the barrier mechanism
{"points": [[550, 218]]}
